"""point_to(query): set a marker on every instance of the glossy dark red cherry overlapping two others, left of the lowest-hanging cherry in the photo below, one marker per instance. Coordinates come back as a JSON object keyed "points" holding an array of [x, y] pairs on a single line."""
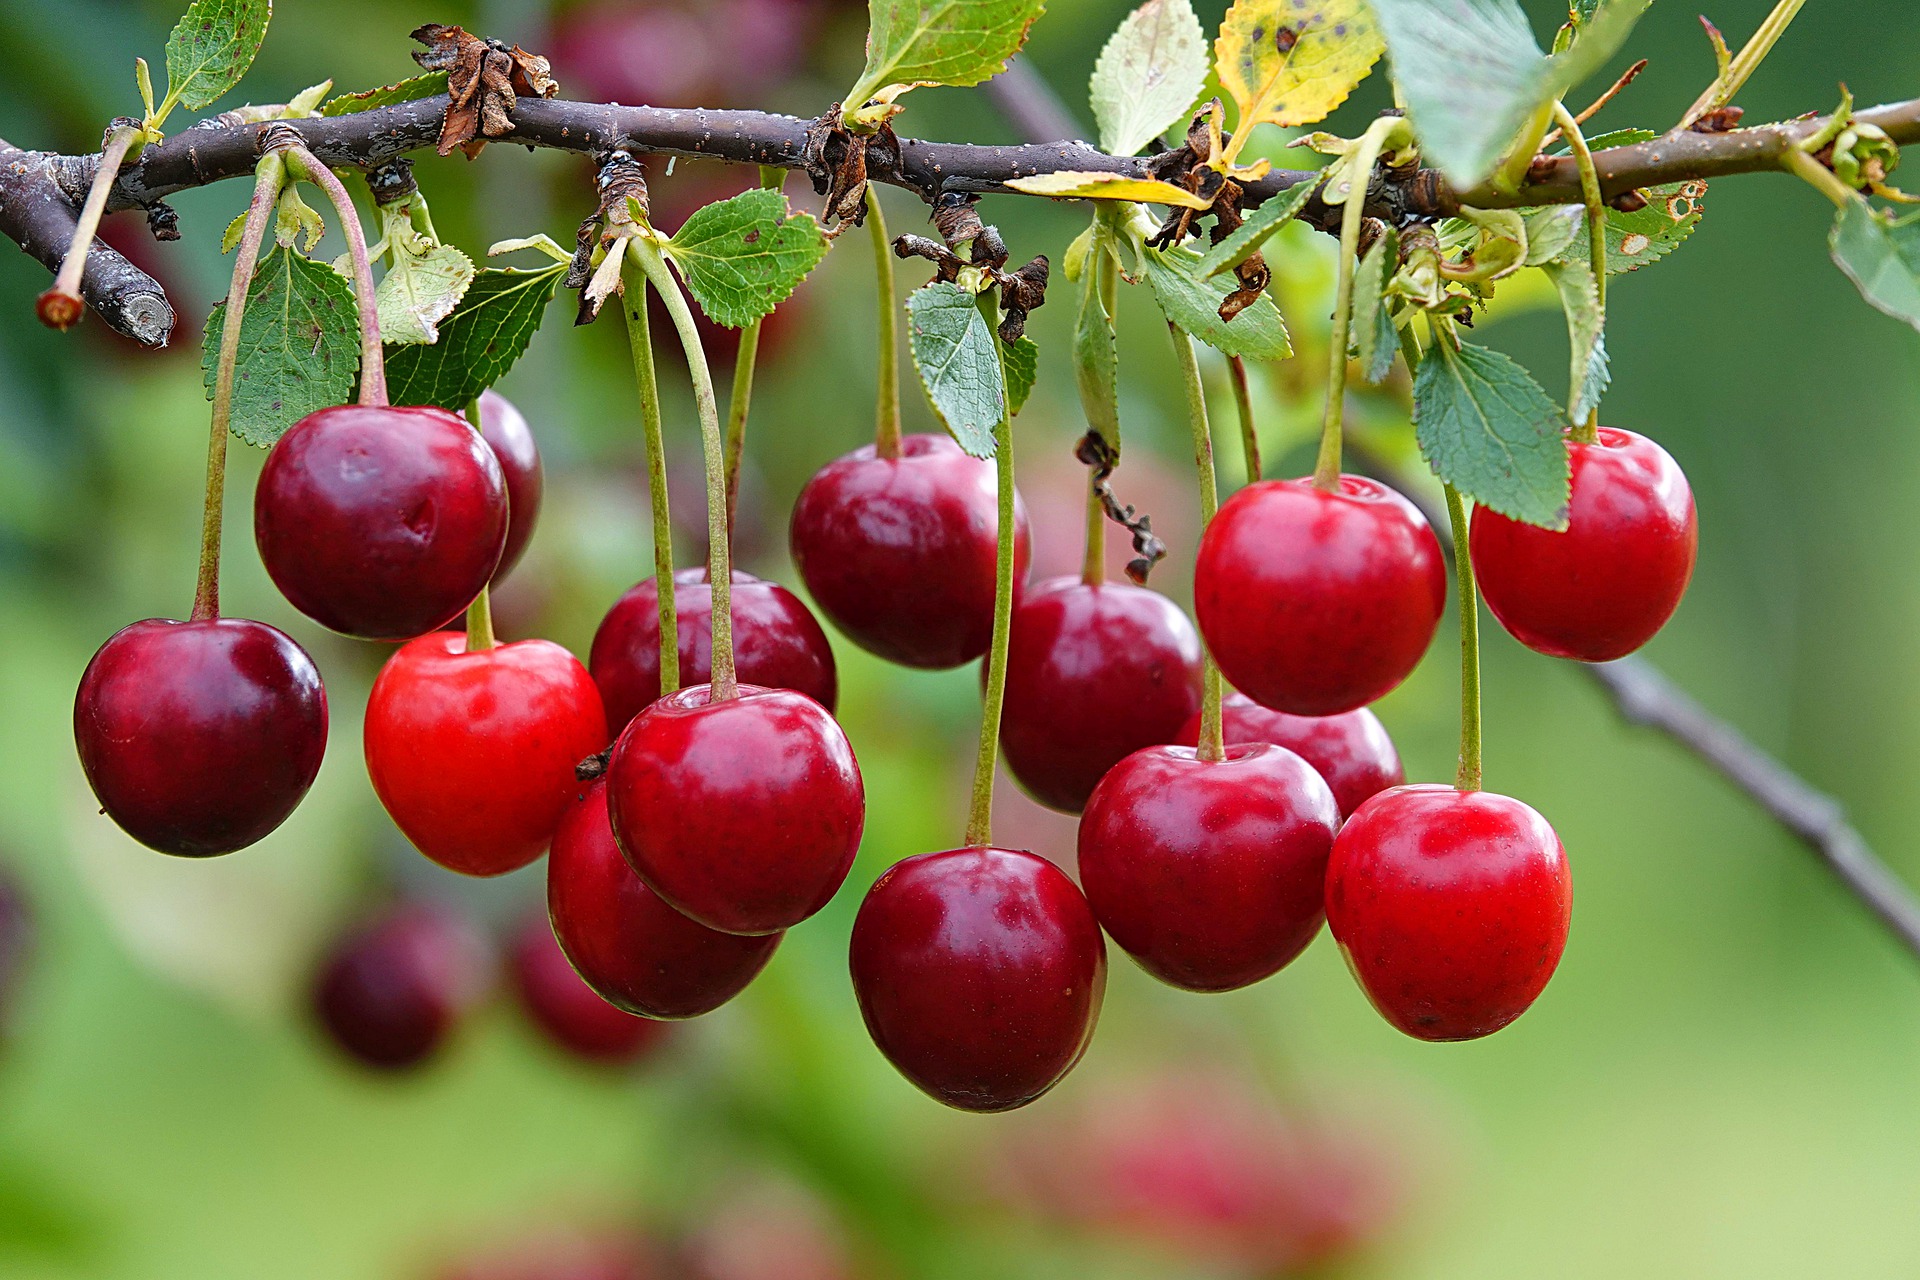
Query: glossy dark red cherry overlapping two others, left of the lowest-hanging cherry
{"points": [[742, 815]]}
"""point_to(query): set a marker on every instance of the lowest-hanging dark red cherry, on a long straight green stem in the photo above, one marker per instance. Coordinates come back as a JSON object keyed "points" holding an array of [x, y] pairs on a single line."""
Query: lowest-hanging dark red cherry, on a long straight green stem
{"points": [[980, 974]]}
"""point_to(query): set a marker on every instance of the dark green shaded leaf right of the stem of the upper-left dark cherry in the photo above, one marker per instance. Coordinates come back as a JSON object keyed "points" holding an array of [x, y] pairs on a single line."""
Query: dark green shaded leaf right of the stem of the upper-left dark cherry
{"points": [[479, 343]]}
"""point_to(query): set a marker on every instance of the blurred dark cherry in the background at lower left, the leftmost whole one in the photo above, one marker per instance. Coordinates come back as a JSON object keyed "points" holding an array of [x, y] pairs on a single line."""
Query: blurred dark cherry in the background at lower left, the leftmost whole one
{"points": [[396, 987]]}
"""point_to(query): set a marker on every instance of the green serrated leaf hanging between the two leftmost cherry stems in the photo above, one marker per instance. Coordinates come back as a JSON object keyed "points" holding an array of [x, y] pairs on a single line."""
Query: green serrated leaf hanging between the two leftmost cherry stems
{"points": [[299, 346]]}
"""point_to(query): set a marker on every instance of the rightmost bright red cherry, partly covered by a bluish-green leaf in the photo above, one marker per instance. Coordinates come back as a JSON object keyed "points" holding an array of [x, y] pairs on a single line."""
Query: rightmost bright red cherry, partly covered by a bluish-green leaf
{"points": [[1604, 586]]}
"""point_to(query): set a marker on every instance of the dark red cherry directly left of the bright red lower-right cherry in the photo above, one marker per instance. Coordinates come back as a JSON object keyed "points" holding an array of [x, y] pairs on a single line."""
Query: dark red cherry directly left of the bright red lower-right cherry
{"points": [[1211, 874]]}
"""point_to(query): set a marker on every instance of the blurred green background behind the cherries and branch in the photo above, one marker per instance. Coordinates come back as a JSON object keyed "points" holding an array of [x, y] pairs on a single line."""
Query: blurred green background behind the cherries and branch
{"points": [[1721, 1081]]}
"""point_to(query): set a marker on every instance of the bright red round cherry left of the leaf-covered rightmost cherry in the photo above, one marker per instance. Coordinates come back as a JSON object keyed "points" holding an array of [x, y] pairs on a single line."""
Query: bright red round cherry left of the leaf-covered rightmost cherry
{"points": [[1318, 604]]}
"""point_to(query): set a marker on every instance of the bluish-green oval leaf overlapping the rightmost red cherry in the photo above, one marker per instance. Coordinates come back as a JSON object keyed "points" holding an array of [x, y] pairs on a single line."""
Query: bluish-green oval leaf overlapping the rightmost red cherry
{"points": [[1489, 431]]}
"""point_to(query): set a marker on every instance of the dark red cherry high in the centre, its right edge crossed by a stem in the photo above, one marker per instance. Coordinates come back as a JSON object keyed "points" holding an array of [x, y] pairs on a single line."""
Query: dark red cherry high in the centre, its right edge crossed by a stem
{"points": [[900, 554]]}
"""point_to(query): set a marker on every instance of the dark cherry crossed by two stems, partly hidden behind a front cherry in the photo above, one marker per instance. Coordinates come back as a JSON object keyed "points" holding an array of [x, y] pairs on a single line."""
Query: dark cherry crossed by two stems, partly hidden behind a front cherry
{"points": [[777, 644]]}
